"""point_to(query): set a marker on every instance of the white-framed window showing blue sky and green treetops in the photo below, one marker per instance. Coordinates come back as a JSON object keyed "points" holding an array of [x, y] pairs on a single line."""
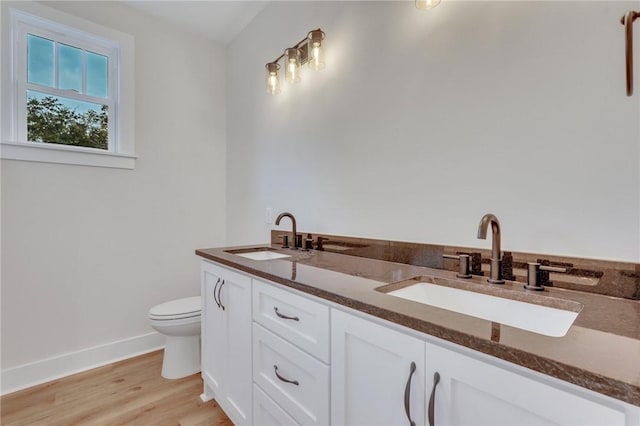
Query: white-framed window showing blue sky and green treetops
{"points": [[68, 97]]}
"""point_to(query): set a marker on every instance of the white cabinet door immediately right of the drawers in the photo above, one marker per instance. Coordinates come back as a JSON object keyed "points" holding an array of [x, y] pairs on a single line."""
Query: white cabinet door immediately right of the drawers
{"points": [[371, 374]]}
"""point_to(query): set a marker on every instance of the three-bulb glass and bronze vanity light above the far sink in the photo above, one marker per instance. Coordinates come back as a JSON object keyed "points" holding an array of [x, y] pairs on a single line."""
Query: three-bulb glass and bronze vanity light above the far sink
{"points": [[307, 51]]}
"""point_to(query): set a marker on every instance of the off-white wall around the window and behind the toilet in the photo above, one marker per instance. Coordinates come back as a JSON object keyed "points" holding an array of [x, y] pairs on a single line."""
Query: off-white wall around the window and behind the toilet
{"points": [[87, 251]]}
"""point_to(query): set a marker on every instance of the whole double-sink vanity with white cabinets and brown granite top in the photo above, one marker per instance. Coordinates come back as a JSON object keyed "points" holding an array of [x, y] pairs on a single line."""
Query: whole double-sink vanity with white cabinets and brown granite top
{"points": [[292, 337]]}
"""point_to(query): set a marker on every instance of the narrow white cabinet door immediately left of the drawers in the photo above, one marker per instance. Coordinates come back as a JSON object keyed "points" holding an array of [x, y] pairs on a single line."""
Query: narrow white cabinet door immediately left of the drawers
{"points": [[235, 299]]}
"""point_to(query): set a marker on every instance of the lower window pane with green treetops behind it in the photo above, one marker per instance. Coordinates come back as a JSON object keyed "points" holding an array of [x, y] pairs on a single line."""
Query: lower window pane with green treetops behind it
{"points": [[56, 119]]}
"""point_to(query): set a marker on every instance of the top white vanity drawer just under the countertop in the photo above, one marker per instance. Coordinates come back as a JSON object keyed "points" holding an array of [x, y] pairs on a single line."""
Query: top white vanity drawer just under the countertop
{"points": [[299, 320]]}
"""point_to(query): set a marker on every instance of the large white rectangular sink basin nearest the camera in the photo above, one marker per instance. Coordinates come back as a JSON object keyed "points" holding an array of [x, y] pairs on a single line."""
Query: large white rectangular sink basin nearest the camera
{"points": [[537, 318]]}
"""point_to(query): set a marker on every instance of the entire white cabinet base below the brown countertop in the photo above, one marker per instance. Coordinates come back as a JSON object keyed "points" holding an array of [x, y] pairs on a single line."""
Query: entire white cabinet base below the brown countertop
{"points": [[302, 362]]}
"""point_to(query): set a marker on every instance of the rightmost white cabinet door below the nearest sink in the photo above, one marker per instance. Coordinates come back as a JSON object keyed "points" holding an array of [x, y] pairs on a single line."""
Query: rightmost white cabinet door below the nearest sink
{"points": [[474, 392]]}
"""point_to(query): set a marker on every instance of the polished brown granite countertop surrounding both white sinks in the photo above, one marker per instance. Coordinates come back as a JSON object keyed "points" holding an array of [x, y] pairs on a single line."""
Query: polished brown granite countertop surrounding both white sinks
{"points": [[601, 351]]}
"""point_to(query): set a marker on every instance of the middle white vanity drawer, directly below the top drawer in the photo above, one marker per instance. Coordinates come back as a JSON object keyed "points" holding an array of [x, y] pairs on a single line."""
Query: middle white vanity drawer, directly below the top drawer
{"points": [[302, 388]]}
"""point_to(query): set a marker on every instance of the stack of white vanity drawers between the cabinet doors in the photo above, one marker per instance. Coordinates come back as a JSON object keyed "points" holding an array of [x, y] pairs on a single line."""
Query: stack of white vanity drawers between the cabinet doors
{"points": [[290, 356]]}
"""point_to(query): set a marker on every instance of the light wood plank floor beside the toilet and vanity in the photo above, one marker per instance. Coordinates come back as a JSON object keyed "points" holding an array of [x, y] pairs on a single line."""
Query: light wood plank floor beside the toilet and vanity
{"points": [[129, 392]]}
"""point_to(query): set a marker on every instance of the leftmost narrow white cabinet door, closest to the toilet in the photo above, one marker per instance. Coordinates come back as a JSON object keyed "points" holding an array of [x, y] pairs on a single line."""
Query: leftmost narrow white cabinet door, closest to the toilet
{"points": [[213, 332]]}
